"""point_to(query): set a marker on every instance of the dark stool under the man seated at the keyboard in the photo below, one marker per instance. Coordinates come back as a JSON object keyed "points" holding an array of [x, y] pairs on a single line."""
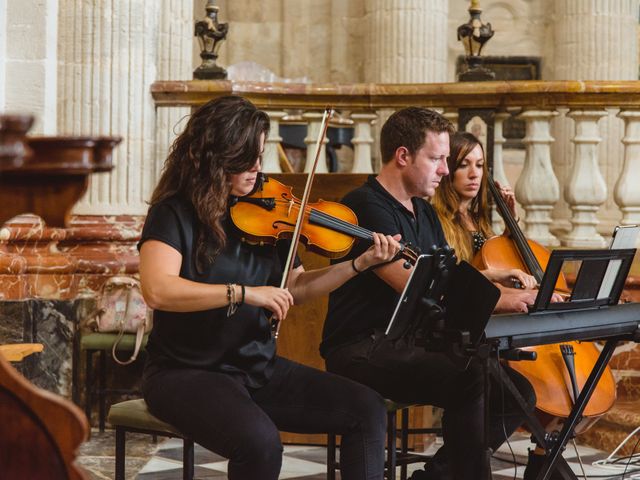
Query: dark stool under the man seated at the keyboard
{"points": [[395, 457]]}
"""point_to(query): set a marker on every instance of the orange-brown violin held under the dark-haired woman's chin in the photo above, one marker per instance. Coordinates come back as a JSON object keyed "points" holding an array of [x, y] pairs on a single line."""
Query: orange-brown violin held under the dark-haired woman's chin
{"points": [[328, 228]]}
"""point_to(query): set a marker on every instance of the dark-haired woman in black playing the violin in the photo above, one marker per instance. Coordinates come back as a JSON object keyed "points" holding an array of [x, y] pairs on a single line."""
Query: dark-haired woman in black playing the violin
{"points": [[212, 369]]}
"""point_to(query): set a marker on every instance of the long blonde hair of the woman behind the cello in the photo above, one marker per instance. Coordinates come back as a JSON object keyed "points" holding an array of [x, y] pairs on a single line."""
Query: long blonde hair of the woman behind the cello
{"points": [[446, 200]]}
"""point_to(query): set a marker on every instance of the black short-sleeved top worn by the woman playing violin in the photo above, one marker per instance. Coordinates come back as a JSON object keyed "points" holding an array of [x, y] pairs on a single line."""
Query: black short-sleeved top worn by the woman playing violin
{"points": [[240, 345]]}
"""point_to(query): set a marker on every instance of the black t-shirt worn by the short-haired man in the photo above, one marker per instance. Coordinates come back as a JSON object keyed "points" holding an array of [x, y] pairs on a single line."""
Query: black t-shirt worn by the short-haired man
{"points": [[366, 303]]}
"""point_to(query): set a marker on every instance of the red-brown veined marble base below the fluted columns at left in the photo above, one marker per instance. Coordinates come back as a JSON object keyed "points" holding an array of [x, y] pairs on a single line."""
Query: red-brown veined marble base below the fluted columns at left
{"points": [[37, 261]]}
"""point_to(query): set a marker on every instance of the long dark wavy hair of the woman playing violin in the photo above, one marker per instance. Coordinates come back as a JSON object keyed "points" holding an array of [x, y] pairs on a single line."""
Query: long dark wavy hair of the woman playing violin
{"points": [[221, 138]]}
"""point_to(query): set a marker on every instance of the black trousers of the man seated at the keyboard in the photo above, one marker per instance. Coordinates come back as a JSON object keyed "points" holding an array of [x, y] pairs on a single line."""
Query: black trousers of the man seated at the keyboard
{"points": [[410, 374]]}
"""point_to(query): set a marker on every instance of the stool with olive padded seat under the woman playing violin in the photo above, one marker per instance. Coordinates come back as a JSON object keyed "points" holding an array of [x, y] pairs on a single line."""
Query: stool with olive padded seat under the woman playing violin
{"points": [[133, 416]]}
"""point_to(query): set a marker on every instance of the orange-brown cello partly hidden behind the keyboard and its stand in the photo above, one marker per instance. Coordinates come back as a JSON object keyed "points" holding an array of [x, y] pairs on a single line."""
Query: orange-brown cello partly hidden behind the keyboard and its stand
{"points": [[551, 374]]}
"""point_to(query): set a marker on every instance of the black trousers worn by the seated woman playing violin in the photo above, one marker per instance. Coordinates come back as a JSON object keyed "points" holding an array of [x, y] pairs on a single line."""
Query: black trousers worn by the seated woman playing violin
{"points": [[220, 413]]}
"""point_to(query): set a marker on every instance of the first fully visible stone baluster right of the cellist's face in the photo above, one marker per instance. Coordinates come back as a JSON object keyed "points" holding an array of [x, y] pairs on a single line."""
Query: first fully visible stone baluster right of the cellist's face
{"points": [[537, 188]]}
